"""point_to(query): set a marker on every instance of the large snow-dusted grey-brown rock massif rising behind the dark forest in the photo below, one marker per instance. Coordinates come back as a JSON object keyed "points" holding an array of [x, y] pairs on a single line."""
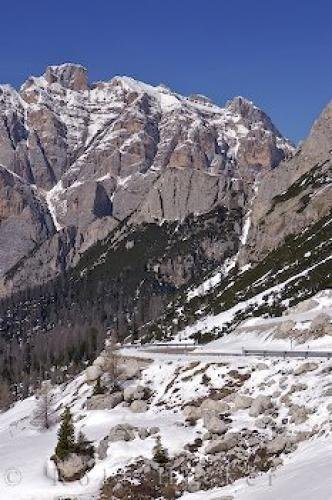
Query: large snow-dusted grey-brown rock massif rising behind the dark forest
{"points": [[101, 153]]}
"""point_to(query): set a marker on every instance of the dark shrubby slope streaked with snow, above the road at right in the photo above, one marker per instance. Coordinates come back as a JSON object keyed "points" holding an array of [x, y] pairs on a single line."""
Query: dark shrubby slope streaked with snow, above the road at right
{"points": [[291, 273]]}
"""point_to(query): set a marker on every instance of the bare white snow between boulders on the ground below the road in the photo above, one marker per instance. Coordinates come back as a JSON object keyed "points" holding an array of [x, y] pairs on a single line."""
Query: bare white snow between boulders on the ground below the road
{"points": [[24, 451]]}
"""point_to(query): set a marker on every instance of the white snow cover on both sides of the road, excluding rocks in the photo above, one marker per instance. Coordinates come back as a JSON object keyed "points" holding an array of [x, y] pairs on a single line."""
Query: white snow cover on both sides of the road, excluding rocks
{"points": [[26, 472]]}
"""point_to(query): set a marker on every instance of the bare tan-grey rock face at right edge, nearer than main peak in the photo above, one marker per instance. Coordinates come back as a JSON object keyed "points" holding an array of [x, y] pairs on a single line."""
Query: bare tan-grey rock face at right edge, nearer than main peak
{"points": [[294, 196]]}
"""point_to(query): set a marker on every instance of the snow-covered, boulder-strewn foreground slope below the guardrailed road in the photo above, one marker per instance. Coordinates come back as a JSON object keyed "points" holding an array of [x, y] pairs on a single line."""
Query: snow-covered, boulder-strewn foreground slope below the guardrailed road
{"points": [[176, 381]]}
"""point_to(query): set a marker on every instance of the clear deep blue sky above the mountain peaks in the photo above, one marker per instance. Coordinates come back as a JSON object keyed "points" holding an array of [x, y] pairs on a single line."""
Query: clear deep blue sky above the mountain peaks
{"points": [[277, 53]]}
